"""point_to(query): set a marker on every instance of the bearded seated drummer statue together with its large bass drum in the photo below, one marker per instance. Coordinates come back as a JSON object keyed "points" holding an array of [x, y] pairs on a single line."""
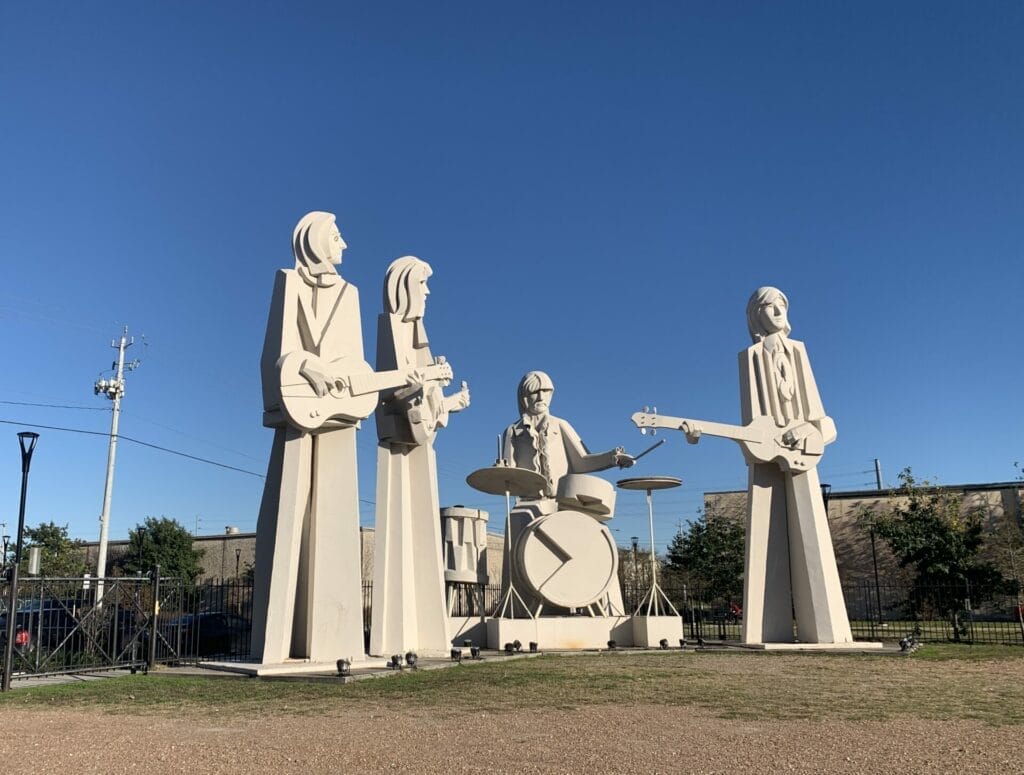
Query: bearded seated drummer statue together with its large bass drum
{"points": [[549, 446]]}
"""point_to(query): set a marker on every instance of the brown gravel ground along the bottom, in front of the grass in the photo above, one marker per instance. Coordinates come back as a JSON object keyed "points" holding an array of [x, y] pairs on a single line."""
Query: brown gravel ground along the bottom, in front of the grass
{"points": [[595, 740]]}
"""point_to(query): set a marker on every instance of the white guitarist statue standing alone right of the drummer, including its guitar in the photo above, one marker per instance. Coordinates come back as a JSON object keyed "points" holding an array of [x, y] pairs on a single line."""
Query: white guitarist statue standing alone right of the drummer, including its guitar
{"points": [[791, 565]]}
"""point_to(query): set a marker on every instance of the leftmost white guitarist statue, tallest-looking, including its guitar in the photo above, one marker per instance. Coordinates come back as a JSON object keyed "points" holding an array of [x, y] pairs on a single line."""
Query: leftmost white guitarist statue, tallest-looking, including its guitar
{"points": [[308, 600]]}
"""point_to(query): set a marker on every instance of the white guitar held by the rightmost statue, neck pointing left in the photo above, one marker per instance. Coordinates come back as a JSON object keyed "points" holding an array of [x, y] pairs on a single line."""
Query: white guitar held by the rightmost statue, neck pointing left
{"points": [[796, 448]]}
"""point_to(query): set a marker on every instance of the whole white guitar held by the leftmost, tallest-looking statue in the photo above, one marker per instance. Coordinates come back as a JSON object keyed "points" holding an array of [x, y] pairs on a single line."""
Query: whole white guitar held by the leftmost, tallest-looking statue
{"points": [[352, 395]]}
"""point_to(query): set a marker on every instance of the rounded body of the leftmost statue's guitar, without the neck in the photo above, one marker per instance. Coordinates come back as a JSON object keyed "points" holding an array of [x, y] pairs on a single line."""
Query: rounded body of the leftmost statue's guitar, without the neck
{"points": [[308, 411]]}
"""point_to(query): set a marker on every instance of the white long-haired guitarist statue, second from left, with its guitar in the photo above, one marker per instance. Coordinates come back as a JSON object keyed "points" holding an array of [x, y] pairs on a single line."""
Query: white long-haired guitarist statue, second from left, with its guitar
{"points": [[410, 613]]}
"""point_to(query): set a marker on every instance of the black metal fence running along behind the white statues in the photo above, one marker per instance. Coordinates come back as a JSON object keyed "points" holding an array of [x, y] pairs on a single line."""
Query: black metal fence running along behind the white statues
{"points": [[67, 626]]}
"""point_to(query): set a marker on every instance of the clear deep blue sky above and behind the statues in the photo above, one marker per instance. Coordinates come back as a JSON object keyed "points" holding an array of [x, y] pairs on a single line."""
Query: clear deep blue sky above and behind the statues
{"points": [[599, 188]]}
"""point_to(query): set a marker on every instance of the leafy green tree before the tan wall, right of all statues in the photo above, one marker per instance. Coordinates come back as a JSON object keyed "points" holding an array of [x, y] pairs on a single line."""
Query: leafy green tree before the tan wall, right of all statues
{"points": [[929, 533]]}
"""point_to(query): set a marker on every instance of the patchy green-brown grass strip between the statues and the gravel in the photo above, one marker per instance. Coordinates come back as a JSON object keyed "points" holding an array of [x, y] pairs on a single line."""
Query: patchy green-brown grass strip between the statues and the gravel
{"points": [[937, 682]]}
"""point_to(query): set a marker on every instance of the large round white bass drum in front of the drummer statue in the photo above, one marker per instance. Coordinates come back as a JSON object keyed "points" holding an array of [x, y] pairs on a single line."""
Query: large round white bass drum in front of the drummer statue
{"points": [[568, 559]]}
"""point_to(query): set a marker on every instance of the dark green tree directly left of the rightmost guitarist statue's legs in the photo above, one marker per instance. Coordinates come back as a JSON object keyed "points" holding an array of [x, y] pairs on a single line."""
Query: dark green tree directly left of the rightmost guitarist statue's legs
{"points": [[710, 554]]}
